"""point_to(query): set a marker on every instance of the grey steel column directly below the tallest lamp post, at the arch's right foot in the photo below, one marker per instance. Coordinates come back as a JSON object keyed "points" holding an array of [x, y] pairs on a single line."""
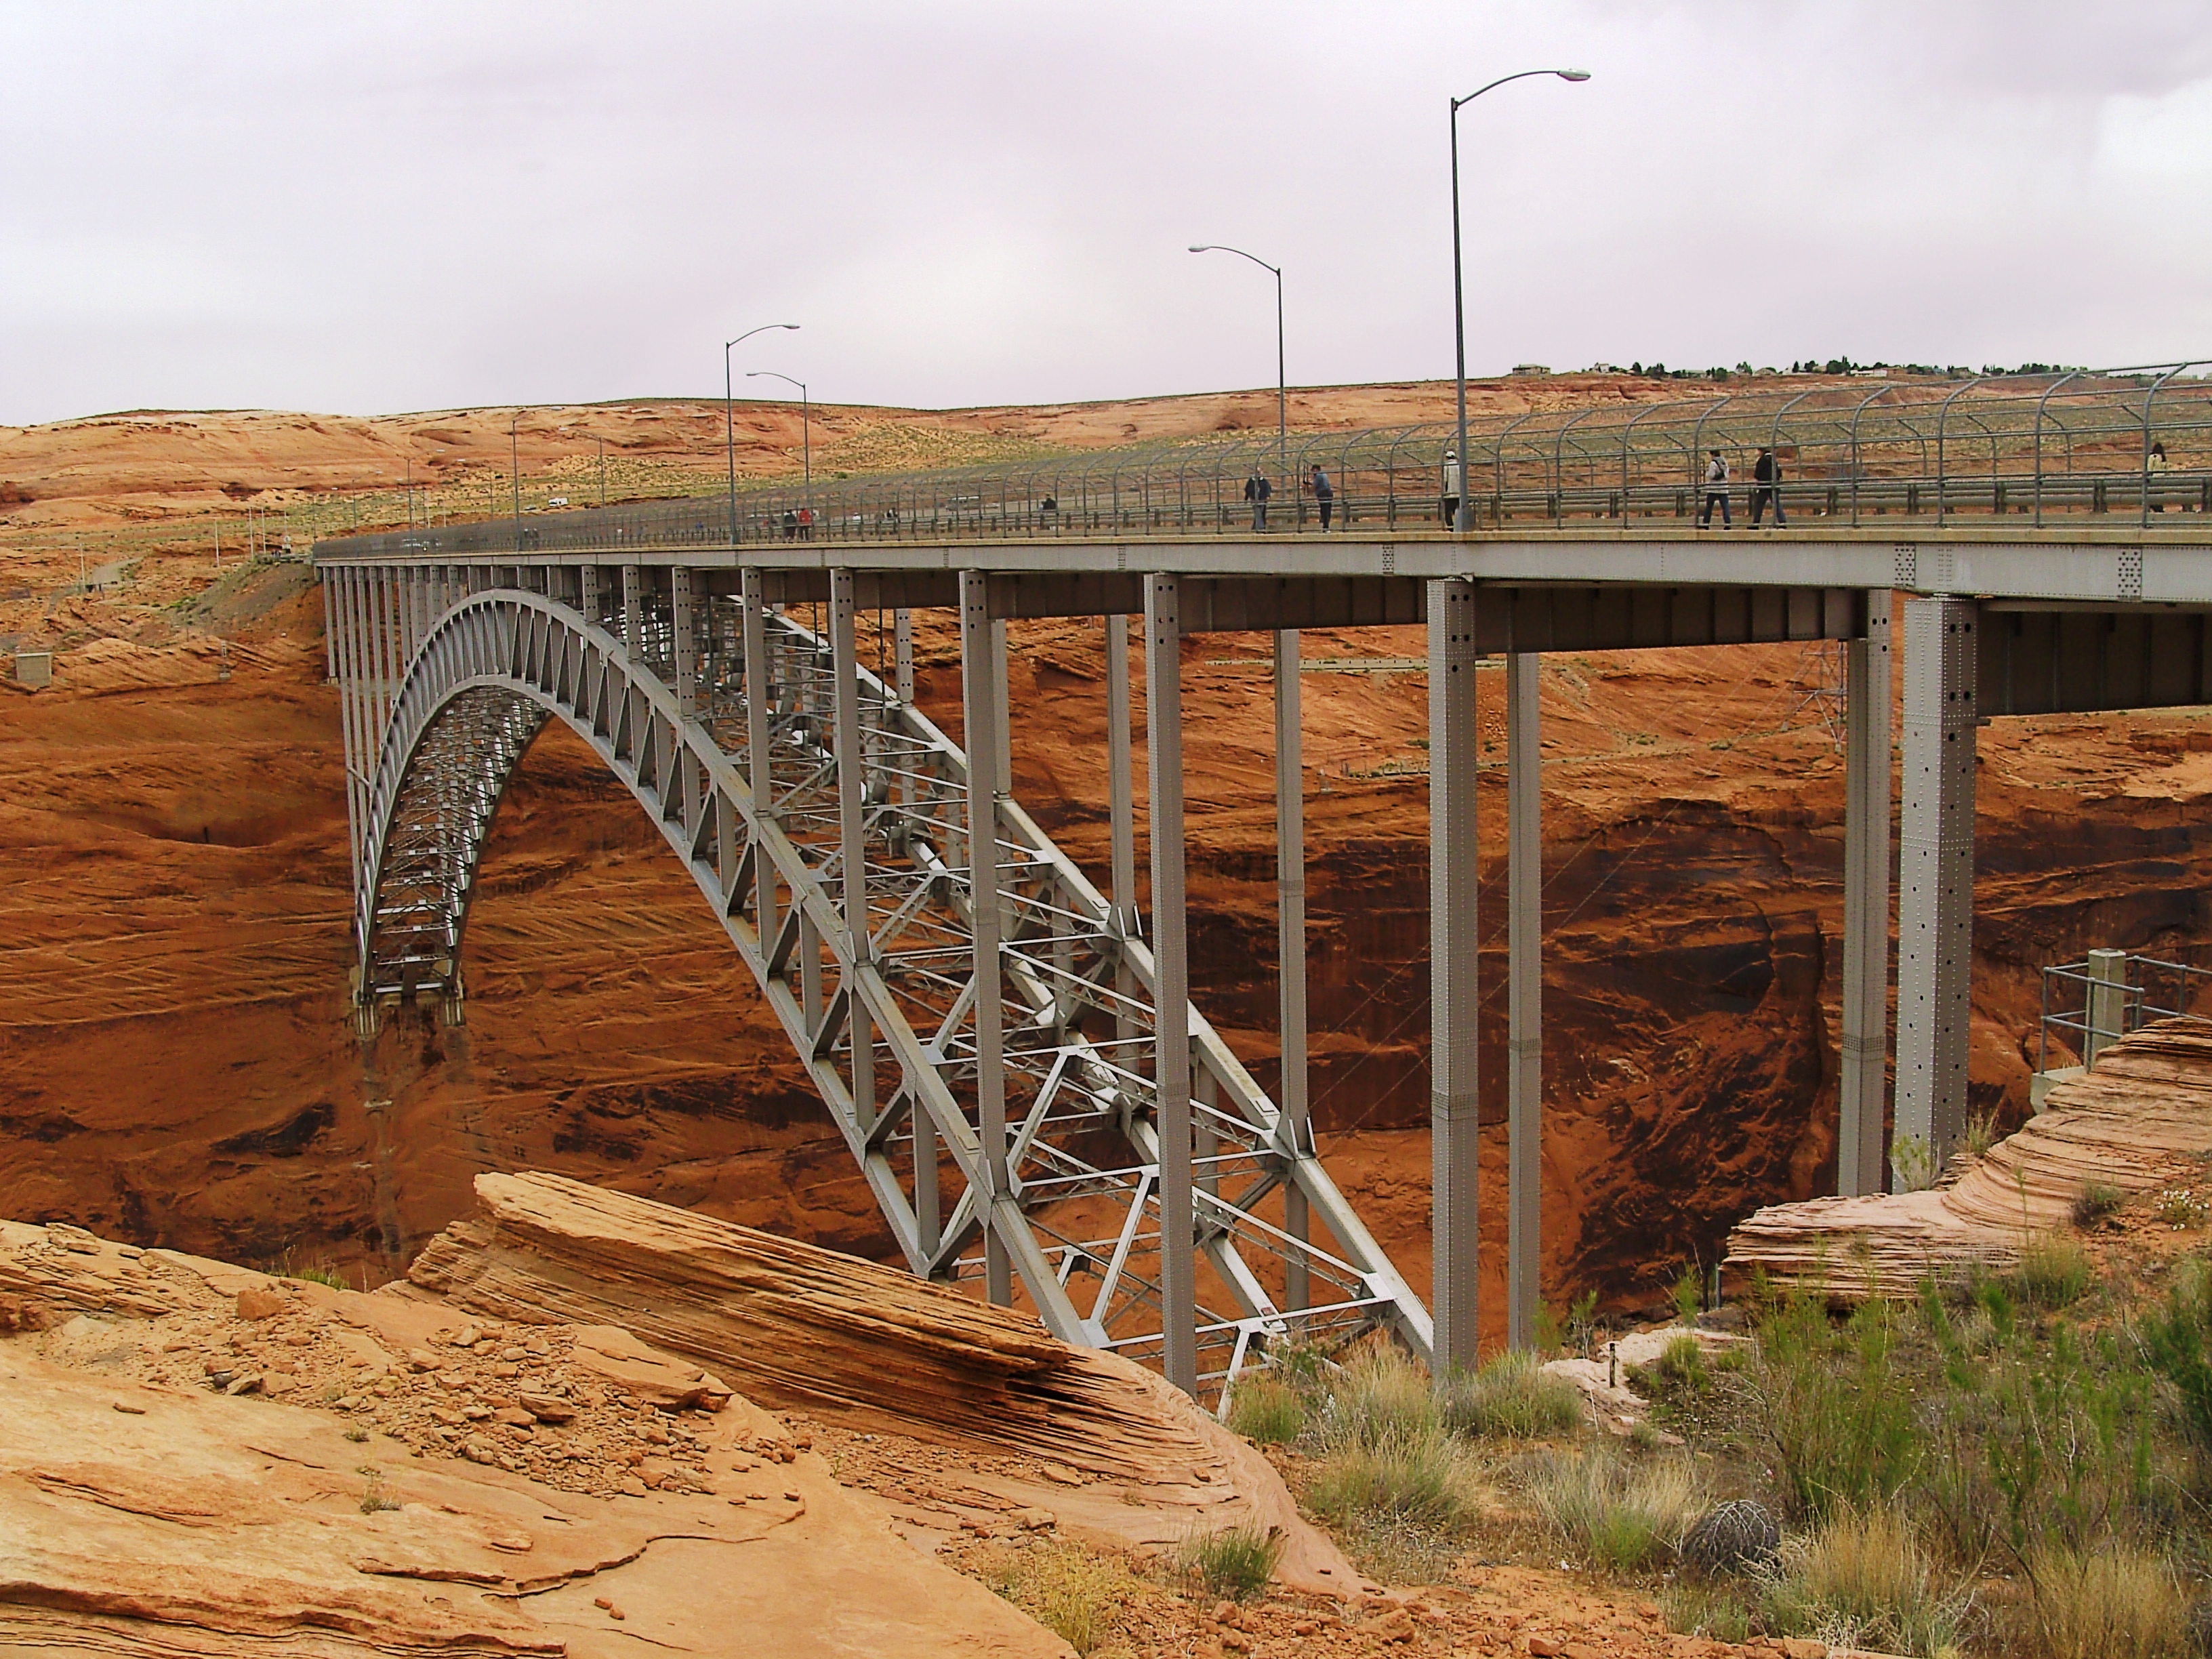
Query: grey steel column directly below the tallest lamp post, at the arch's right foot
{"points": [[1454, 1107]]}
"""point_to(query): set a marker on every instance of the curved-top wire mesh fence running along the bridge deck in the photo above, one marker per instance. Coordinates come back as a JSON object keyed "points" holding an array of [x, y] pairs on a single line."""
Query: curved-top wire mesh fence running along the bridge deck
{"points": [[2120, 444]]}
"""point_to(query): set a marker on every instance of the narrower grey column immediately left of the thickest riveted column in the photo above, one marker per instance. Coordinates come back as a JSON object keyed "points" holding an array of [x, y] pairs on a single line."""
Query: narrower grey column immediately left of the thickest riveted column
{"points": [[1866, 906]]}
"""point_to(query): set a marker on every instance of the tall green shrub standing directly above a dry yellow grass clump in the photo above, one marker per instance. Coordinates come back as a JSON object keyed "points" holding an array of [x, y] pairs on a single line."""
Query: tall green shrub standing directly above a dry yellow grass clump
{"points": [[1833, 1408]]}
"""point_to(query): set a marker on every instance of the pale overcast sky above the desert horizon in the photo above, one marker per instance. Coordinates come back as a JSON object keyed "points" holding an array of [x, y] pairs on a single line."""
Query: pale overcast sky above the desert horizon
{"points": [[401, 207]]}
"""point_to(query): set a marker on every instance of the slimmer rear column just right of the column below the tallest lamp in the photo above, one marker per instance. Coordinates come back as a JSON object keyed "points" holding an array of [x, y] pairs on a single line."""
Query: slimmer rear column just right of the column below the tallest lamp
{"points": [[1525, 999]]}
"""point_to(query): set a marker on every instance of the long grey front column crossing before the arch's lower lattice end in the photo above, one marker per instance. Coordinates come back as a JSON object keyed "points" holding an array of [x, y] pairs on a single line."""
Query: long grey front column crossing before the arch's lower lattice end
{"points": [[1171, 977]]}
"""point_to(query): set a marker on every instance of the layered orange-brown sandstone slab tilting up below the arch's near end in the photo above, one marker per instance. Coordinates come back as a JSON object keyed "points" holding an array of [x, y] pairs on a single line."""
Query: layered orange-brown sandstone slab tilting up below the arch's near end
{"points": [[1087, 1437]]}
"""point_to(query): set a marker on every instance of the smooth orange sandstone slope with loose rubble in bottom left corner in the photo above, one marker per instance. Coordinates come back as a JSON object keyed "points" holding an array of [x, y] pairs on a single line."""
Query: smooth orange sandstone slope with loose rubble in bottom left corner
{"points": [[404, 1479]]}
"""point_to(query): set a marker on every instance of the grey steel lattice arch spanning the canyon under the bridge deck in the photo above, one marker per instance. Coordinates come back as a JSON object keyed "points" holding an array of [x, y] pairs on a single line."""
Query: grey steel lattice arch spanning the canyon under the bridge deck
{"points": [[842, 873]]}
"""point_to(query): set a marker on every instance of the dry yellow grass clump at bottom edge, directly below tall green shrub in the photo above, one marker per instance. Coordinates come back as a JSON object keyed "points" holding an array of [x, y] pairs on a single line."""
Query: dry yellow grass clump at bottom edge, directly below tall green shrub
{"points": [[1861, 1580]]}
